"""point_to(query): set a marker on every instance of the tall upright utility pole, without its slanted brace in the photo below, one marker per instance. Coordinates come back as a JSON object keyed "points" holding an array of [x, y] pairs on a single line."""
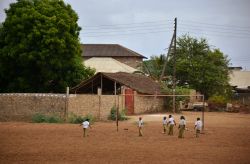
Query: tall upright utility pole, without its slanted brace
{"points": [[174, 58]]}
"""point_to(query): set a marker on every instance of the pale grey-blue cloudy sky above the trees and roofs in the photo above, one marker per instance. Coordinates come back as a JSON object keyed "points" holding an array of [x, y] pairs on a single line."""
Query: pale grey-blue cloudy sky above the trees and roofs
{"points": [[146, 26]]}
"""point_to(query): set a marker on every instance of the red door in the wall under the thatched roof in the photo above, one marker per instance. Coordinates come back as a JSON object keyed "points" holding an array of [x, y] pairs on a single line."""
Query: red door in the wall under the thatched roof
{"points": [[129, 100]]}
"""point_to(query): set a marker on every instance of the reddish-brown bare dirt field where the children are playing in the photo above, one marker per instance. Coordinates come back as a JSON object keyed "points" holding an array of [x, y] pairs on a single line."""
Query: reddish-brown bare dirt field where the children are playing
{"points": [[226, 140]]}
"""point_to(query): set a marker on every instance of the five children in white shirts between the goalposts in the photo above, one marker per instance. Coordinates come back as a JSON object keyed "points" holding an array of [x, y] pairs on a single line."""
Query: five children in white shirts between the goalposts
{"points": [[171, 123]]}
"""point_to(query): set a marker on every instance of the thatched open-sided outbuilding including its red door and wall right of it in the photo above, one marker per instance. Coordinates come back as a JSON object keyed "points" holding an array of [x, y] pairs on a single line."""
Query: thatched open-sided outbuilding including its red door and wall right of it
{"points": [[136, 93]]}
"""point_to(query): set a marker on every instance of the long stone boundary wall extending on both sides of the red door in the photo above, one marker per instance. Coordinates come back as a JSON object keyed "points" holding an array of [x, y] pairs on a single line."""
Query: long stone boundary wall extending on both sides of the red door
{"points": [[22, 106]]}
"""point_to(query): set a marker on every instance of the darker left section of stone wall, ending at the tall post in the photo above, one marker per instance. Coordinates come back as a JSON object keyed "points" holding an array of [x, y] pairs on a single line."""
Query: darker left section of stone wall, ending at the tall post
{"points": [[22, 106]]}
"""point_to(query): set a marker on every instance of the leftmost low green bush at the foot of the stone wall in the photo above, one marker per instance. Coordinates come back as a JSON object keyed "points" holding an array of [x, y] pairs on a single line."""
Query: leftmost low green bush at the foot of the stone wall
{"points": [[41, 118]]}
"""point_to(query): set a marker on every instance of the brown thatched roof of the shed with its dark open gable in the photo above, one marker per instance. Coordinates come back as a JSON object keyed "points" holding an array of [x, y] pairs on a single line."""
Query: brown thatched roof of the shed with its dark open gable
{"points": [[112, 84]]}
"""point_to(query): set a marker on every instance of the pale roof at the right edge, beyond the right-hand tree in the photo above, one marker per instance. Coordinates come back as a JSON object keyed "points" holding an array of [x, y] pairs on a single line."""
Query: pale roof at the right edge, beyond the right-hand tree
{"points": [[241, 79]]}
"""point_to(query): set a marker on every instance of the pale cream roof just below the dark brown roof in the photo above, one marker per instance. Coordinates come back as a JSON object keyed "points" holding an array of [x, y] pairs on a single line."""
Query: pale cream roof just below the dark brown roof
{"points": [[106, 64]]}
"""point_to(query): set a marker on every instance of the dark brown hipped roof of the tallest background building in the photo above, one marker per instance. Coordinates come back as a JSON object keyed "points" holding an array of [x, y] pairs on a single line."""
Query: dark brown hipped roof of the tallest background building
{"points": [[108, 50]]}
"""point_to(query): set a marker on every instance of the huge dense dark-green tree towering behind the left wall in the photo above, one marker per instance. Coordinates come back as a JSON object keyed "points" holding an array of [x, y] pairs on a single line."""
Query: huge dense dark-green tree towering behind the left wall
{"points": [[39, 47]]}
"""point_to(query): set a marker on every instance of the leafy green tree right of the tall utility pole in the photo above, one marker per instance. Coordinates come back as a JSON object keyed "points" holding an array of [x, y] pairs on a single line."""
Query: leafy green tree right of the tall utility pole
{"points": [[200, 67]]}
